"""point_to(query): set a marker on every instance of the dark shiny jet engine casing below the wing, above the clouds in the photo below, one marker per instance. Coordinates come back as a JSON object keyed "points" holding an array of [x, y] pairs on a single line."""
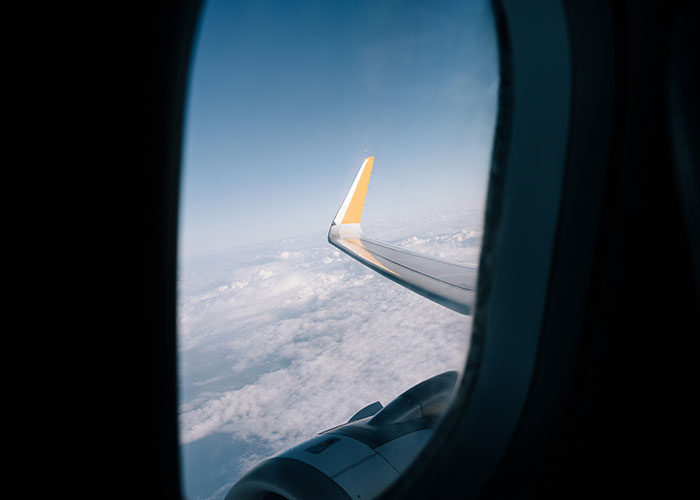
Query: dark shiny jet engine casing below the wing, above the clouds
{"points": [[356, 460]]}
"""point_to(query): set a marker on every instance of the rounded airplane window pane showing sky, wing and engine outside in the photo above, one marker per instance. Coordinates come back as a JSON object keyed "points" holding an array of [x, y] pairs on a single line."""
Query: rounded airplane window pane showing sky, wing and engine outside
{"points": [[335, 165]]}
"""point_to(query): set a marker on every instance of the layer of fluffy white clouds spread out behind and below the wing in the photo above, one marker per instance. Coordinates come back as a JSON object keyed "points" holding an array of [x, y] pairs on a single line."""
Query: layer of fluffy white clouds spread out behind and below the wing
{"points": [[293, 343]]}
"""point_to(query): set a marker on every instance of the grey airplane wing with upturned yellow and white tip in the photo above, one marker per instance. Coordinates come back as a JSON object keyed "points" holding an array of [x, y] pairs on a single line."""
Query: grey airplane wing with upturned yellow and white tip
{"points": [[448, 284]]}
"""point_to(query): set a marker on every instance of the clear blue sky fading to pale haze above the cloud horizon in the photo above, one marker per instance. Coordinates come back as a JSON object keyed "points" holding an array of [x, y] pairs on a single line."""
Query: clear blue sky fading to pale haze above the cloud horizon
{"points": [[286, 98]]}
